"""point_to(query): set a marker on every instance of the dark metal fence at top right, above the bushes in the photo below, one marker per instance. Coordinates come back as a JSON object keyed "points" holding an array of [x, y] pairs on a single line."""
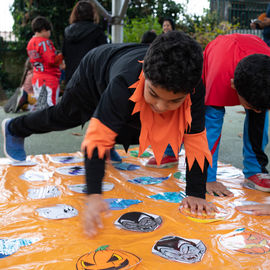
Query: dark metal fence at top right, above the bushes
{"points": [[238, 11]]}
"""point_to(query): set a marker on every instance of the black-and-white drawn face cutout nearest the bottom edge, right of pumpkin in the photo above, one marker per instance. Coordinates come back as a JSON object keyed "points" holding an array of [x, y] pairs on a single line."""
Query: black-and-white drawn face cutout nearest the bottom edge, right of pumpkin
{"points": [[180, 249]]}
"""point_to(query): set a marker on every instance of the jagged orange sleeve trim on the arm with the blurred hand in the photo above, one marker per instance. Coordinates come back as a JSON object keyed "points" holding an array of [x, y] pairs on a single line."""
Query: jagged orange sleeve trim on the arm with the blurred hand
{"points": [[98, 136]]}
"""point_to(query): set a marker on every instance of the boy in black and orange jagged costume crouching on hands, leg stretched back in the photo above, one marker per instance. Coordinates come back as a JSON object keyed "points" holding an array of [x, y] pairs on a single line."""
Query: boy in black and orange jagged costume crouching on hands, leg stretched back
{"points": [[128, 101]]}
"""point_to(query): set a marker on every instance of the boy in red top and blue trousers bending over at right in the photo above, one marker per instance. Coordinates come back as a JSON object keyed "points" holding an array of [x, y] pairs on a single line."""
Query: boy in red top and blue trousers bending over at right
{"points": [[237, 71]]}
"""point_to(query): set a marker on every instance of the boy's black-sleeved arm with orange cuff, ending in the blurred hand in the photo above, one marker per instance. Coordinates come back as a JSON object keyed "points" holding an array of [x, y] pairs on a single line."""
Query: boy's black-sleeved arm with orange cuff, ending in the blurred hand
{"points": [[107, 121]]}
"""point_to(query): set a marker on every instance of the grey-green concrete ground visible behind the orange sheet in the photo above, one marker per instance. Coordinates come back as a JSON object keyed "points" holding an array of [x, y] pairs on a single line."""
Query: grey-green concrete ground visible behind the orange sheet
{"points": [[70, 140]]}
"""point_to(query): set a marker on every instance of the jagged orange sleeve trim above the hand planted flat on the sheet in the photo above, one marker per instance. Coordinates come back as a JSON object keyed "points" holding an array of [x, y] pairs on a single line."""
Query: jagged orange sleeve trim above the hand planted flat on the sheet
{"points": [[196, 147]]}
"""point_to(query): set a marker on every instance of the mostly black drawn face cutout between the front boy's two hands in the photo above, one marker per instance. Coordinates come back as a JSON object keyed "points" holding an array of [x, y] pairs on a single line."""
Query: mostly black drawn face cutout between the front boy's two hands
{"points": [[138, 221]]}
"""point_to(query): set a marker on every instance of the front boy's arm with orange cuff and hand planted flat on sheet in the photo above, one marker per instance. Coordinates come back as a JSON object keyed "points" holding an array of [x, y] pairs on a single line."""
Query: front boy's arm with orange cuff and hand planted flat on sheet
{"points": [[198, 157]]}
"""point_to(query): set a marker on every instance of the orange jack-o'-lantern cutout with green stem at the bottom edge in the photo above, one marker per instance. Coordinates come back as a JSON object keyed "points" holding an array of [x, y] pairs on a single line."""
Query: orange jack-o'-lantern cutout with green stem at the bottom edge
{"points": [[107, 259]]}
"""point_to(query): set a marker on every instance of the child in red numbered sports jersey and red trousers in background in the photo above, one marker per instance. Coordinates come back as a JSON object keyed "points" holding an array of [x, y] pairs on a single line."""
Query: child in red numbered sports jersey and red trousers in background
{"points": [[45, 60]]}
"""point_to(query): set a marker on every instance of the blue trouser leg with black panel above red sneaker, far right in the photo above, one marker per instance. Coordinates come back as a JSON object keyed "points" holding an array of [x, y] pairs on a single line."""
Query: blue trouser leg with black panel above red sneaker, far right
{"points": [[255, 140]]}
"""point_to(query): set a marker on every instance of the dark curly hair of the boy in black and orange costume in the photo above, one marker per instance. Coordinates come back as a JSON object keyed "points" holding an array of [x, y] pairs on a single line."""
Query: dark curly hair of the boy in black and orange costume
{"points": [[174, 62]]}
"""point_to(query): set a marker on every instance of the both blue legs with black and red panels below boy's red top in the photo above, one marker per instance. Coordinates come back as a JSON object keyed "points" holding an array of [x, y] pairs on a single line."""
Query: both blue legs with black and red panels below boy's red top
{"points": [[255, 139]]}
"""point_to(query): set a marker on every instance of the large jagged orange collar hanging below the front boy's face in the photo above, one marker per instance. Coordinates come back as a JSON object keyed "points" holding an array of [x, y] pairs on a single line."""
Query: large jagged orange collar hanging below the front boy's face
{"points": [[159, 130]]}
